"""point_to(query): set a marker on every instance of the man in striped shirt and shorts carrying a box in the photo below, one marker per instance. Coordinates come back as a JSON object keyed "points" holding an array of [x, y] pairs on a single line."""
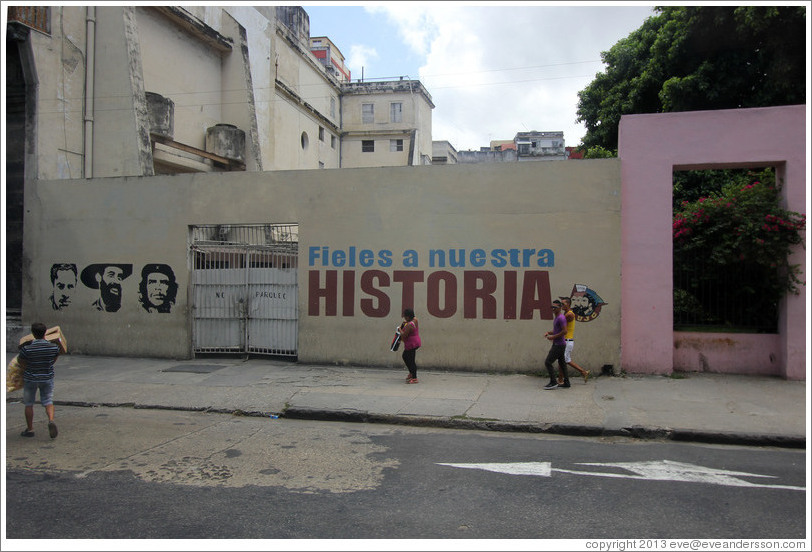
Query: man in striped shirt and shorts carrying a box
{"points": [[38, 359]]}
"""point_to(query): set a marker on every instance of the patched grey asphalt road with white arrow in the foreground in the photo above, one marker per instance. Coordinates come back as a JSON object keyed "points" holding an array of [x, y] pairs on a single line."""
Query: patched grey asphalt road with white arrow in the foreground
{"points": [[123, 473]]}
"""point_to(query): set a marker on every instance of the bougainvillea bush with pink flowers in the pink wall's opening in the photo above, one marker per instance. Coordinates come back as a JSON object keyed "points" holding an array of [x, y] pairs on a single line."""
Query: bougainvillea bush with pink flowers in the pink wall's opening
{"points": [[731, 254]]}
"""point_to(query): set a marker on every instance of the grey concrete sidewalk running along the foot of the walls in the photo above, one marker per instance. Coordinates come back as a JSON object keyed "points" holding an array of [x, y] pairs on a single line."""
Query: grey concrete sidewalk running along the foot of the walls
{"points": [[715, 408]]}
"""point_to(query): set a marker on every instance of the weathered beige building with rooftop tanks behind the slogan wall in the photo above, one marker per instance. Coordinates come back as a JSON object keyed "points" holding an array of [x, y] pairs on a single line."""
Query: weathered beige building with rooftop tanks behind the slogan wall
{"points": [[110, 91]]}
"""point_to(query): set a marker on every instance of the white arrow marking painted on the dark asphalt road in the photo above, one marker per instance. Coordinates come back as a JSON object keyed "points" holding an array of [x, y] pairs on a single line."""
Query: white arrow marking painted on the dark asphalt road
{"points": [[662, 470]]}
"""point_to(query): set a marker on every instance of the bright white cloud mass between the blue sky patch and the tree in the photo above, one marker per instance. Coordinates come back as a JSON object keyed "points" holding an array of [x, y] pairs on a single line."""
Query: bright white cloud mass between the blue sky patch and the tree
{"points": [[493, 71]]}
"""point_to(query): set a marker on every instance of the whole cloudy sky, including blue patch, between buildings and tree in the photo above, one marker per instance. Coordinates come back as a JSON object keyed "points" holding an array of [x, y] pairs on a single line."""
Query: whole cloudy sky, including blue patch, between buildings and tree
{"points": [[491, 70]]}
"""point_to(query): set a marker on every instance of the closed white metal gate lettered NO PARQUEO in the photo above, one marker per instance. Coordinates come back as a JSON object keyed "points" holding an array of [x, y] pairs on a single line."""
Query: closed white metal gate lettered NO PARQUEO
{"points": [[244, 288]]}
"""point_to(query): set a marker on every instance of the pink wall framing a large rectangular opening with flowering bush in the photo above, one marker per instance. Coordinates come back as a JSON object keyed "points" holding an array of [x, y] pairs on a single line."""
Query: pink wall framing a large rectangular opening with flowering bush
{"points": [[650, 148]]}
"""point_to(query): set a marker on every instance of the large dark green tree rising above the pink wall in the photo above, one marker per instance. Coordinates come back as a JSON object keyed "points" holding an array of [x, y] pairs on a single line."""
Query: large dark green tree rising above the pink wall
{"points": [[687, 58]]}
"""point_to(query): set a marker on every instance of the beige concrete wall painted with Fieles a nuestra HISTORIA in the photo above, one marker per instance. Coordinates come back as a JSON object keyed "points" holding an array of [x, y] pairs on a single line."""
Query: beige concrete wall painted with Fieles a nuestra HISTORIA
{"points": [[477, 251]]}
